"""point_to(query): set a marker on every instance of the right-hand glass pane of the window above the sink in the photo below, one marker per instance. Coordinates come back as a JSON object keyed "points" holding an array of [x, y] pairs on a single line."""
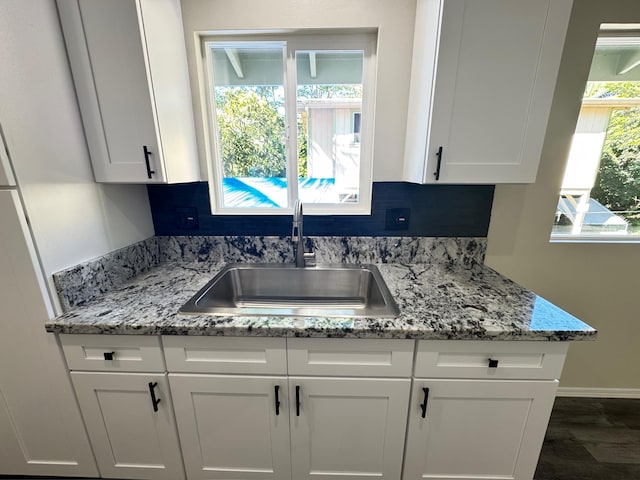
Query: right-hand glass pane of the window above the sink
{"points": [[329, 105]]}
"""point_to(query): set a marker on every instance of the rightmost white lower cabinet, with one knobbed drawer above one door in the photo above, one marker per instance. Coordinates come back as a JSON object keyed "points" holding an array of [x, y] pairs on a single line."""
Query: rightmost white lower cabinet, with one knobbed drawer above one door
{"points": [[488, 419]]}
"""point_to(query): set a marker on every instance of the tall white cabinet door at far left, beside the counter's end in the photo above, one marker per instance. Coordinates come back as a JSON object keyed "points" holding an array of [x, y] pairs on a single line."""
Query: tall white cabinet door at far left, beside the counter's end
{"points": [[41, 430]]}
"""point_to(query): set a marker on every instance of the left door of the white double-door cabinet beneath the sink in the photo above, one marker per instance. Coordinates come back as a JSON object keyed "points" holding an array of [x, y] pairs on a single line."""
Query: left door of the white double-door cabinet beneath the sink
{"points": [[230, 426]]}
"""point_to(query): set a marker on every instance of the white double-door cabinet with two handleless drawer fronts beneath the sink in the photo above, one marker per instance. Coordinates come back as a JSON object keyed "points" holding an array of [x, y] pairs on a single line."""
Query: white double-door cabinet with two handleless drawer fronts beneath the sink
{"points": [[257, 427]]}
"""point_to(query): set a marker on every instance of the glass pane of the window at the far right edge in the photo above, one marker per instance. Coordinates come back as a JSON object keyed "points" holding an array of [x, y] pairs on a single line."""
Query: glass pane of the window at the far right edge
{"points": [[600, 192]]}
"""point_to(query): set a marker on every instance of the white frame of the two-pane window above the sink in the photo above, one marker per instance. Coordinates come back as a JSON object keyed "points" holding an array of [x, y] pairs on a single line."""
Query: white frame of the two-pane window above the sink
{"points": [[326, 41]]}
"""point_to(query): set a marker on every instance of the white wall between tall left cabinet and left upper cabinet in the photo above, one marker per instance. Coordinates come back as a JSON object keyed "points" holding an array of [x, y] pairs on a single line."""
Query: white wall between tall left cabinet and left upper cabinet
{"points": [[72, 218]]}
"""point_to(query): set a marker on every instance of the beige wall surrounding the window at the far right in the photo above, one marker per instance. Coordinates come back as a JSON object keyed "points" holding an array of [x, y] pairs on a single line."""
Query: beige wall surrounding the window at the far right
{"points": [[596, 282]]}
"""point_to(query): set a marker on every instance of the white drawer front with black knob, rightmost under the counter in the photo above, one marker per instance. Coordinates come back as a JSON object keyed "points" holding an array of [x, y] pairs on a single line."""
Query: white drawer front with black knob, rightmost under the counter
{"points": [[471, 359]]}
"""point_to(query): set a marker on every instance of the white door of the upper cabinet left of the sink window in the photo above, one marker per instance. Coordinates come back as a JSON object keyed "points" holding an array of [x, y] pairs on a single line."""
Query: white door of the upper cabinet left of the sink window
{"points": [[114, 42]]}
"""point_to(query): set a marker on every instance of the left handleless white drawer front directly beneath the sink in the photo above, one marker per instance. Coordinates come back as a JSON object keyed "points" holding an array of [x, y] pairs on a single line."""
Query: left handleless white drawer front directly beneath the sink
{"points": [[240, 355]]}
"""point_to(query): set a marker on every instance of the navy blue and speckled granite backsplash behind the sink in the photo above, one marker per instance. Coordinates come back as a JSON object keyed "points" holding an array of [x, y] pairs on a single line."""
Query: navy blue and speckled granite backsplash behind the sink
{"points": [[446, 223]]}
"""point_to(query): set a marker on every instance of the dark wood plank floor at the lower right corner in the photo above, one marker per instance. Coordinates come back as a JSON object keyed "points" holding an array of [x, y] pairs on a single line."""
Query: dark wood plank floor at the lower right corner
{"points": [[592, 439]]}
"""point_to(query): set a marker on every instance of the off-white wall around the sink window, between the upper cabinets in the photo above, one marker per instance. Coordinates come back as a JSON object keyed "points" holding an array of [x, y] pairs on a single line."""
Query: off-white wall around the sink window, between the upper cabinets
{"points": [[394, 19]]}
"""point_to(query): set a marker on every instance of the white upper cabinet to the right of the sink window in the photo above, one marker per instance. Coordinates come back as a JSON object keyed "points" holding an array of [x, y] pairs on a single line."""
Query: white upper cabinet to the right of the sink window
{"points": [[483, 77]]}
